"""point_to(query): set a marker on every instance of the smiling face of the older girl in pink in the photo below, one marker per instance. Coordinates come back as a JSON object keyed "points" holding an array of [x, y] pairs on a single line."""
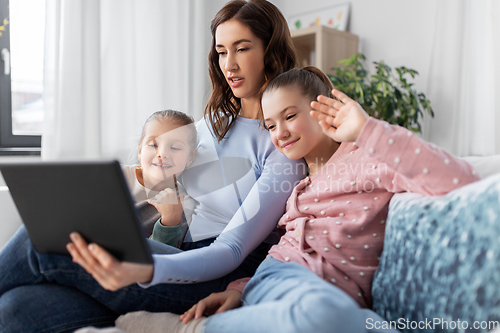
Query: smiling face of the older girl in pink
{"points": [[293, 131]]}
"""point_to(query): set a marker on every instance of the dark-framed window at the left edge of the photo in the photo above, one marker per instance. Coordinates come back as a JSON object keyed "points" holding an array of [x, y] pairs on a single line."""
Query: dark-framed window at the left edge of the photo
{"points": [[22, 26]]}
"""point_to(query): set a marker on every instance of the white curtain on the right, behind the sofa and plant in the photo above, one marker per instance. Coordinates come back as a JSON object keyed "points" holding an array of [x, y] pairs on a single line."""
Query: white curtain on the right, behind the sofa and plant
{"points": [[464, 78]]}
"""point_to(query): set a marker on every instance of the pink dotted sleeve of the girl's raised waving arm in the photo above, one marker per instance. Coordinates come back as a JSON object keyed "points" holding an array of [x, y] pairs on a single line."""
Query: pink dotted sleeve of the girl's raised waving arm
{"points": [[412, 164]]}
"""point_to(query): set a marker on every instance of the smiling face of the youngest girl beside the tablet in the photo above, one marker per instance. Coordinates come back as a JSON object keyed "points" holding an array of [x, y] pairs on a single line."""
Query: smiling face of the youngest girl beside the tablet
{"points": [[164, 151]]}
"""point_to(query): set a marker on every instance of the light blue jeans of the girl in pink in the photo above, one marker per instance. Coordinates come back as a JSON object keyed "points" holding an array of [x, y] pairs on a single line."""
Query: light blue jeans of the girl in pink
{"points": [[288, 298]]}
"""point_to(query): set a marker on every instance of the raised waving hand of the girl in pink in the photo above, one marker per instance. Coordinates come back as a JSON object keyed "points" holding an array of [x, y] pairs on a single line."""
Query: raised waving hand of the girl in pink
{"points": [[342, 119]]}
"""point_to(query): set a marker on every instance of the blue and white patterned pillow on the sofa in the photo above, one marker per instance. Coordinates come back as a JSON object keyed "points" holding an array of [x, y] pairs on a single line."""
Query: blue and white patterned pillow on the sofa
{"points": [[441, 260]]}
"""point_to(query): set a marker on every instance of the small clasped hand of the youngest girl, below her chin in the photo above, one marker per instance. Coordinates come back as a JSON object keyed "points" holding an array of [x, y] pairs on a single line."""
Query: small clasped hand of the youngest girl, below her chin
{"points": [[169, 206]]}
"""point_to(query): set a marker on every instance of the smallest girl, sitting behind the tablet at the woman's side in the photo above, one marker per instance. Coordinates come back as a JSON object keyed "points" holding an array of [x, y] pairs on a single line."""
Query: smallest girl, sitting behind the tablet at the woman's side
{"points": [[167, 146]]}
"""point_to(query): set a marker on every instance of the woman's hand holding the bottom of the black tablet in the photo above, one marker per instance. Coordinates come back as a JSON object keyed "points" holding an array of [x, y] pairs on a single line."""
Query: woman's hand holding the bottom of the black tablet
{"points": [[108, 272]]}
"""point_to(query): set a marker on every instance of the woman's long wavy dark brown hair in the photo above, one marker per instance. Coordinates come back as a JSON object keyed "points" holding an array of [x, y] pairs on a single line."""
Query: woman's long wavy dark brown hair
{"points": [[267, 23]]}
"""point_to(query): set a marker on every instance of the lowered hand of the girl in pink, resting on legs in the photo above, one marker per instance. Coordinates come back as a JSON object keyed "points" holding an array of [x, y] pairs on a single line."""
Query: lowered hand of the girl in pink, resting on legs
{"points": [[214, 303]]}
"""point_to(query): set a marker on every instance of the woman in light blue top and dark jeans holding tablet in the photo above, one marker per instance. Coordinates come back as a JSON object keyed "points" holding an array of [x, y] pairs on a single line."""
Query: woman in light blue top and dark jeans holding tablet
{"points": [[239, 179]]}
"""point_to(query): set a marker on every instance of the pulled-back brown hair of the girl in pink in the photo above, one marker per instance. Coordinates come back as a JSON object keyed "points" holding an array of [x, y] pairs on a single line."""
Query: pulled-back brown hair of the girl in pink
{"points": [[310, 81]]}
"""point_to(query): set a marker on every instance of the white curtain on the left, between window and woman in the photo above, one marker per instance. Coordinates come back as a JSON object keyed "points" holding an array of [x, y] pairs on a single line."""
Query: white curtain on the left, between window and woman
{"points": [[110, 64]]}
